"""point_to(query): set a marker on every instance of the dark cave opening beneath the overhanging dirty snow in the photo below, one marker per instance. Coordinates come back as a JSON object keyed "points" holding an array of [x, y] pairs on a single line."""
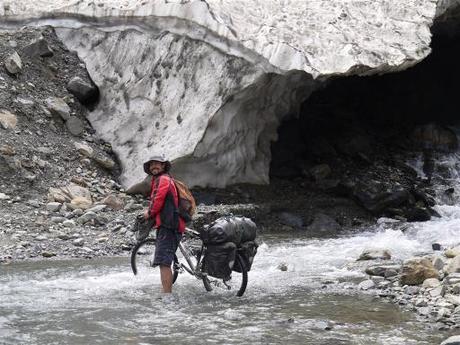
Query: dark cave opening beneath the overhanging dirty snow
{"points": [[354, 120]]}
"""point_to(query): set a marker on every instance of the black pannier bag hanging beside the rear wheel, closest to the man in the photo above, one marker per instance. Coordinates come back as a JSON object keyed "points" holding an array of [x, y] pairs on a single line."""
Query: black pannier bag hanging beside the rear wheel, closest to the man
{"points": [[219, 260]]}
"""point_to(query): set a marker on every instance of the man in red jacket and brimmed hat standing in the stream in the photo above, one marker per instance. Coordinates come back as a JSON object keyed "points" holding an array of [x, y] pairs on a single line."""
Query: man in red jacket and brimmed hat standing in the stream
{"points": [[163, 209]]}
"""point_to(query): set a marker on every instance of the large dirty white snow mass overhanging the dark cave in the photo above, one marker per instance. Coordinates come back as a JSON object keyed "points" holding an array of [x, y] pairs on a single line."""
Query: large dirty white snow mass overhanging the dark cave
{"points": [[208, 82]]}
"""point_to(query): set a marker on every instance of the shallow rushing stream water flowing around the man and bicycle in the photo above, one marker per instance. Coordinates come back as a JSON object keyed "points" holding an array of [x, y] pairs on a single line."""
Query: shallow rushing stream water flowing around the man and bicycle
{"points": [[99, 301]]}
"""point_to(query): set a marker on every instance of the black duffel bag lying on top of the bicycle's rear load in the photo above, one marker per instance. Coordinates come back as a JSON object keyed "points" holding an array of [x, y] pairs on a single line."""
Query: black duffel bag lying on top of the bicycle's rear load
{"points": [[229, 229]]}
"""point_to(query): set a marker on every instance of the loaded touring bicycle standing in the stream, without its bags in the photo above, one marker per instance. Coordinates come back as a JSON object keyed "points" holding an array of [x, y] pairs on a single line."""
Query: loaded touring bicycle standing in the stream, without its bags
{"points": [[191, 260]]}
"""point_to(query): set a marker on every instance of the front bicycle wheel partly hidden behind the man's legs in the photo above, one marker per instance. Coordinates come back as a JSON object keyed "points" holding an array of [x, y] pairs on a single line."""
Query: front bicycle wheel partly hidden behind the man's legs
{"points": [[142, 258]]}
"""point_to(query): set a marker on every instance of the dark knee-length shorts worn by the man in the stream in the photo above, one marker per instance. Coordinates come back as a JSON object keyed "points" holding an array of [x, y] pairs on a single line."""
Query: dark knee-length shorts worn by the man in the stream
{"points": [[166, 246]]}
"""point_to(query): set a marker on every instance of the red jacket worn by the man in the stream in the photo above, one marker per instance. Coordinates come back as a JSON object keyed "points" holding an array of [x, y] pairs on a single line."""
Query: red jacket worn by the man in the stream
{"points": [[160, 187]]}
